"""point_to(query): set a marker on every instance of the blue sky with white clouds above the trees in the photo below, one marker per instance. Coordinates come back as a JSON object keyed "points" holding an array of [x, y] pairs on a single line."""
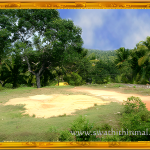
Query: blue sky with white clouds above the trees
{"points": [[110, 29]]}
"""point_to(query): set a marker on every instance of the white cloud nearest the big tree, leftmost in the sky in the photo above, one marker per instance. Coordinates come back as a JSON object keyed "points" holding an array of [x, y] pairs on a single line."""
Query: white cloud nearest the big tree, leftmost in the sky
{"points": [[89, 20]]}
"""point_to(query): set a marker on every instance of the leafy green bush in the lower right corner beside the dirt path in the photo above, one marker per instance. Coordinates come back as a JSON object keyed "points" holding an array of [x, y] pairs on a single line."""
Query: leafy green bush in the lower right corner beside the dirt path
{"points": [[135, 118]]}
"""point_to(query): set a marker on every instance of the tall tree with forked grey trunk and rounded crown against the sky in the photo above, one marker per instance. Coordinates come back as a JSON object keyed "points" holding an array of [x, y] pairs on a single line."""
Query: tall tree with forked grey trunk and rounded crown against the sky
{"points": [[62, 43]]}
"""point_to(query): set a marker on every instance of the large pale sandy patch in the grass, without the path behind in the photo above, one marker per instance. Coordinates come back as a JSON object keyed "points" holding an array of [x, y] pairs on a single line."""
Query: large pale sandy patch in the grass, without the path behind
{"points": [[54, 105]]}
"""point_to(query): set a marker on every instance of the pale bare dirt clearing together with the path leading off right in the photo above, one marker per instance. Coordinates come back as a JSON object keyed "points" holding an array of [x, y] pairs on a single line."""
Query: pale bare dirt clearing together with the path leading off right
{"points": [[59, 104]]}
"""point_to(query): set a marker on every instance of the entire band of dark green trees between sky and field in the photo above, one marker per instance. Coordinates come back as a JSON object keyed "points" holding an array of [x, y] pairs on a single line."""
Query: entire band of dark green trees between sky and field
{"points": [[37, 47]]}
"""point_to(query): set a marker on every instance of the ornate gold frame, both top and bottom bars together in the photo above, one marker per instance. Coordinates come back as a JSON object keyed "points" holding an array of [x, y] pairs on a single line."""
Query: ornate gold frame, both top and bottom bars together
{"points": [[84, 4]]}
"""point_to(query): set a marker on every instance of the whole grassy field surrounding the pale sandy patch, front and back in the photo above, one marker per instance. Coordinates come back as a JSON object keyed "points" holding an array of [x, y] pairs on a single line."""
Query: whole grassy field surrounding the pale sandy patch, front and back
{"points": [[18, 127]]}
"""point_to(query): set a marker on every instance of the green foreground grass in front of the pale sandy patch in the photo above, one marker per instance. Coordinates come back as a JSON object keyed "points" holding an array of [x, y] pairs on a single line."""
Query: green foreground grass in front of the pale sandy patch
{"points": [[15, 124]]}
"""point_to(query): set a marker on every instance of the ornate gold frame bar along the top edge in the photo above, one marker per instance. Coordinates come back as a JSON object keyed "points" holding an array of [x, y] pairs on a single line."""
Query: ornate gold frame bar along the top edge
{"points": [[59, 4]]}
